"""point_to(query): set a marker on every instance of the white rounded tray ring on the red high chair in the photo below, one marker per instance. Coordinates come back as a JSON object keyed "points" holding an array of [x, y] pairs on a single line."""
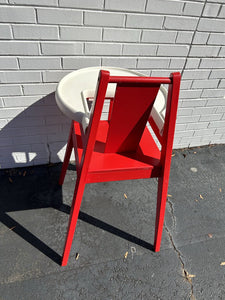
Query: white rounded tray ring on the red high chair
{"points": [[75, 87]]}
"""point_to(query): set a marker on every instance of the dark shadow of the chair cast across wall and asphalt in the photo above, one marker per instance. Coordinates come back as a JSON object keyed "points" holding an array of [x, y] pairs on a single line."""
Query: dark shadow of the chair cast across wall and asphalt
{"points": [[39, 188]]}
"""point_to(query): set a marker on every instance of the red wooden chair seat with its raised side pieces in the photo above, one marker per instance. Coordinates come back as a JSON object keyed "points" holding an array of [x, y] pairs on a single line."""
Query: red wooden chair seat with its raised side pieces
{"points": [[120, 166]]}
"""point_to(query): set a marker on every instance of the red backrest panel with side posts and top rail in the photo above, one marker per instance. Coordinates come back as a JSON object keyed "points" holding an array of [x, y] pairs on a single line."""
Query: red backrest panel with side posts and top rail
{"points": [[132, 104]]}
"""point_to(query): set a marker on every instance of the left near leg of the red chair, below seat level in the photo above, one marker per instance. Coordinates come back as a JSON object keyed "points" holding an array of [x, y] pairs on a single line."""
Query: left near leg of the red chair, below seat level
{"points": [[75, 208]]}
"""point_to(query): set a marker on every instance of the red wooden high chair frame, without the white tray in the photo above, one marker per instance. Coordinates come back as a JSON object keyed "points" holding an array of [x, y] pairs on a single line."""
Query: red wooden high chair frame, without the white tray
{"points": [[122, 147]]}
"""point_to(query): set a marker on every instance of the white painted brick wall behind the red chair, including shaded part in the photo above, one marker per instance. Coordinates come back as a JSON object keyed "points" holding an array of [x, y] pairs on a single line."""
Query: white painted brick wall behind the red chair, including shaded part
{"points": [[42, 41]]}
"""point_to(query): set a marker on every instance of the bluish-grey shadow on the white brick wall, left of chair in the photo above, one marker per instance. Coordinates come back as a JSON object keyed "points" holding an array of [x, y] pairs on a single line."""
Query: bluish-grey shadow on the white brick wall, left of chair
{"points": [[35, 136]]}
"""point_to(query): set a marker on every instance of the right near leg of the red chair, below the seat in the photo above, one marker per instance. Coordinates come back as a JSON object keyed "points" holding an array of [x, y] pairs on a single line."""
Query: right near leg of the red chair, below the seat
{"points": [[160, 211]]}
